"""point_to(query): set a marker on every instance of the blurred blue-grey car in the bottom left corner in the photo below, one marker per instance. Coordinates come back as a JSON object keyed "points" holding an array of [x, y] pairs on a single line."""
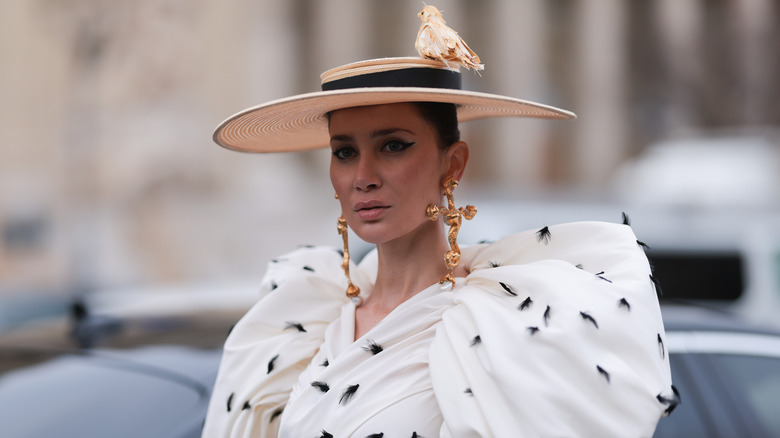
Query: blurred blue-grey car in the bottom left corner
{"points": [[154, 391]]}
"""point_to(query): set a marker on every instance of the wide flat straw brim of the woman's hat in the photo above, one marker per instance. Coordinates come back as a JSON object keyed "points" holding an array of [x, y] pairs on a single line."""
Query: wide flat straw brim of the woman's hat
{"points": [[299, 122]]}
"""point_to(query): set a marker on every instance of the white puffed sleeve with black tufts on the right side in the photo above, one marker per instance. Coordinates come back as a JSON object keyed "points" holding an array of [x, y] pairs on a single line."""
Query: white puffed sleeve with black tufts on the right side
{"points": [[556, 333]]}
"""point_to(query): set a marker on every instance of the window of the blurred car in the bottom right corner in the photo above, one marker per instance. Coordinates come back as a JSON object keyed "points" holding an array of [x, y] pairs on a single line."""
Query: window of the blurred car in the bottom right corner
{"points": [[755, 382]]}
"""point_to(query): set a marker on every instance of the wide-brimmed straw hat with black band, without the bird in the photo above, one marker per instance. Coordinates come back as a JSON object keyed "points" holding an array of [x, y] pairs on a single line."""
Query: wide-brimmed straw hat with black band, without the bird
{"points": [[299, 122]]}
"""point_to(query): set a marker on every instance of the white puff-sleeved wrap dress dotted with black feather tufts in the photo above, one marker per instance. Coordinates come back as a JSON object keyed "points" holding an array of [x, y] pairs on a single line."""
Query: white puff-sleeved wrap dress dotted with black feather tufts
{"points": [[555, 332]]}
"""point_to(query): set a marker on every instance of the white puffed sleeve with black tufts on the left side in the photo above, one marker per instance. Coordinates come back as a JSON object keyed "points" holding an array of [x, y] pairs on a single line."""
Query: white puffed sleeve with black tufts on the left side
{"points": [[274, 342]]}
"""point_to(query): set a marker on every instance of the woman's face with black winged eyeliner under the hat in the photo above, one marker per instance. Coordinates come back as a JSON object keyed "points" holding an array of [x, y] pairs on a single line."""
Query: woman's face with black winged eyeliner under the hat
{"points": [[386, 169]]}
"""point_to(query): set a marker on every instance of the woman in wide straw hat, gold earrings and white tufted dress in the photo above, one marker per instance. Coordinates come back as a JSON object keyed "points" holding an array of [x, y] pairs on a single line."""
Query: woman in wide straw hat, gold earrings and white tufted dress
{"points": [[552, 332]]}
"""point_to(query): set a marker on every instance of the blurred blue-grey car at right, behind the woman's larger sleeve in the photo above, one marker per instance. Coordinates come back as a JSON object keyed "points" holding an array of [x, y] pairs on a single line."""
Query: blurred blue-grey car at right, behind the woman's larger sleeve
{"points": [[728, 375]]}
